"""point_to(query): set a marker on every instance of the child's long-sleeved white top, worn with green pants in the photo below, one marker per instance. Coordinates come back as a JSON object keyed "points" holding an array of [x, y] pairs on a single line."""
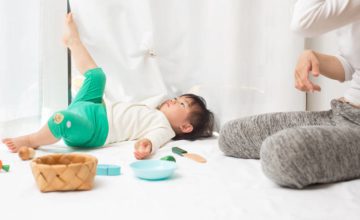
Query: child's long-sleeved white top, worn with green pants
{"points": [[130, 121]]}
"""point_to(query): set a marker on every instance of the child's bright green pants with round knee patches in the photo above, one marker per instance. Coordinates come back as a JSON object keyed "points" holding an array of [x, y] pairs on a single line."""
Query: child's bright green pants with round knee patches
{"points": [[84, 123]]}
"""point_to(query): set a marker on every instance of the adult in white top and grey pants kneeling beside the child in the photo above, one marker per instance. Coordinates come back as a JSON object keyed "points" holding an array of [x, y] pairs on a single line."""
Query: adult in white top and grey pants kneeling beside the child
{"points": [[298, 149]]}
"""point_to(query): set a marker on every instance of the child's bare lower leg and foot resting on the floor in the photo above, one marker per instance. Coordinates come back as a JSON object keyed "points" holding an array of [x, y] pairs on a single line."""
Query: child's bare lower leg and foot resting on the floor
{"points": [[34, 140]]}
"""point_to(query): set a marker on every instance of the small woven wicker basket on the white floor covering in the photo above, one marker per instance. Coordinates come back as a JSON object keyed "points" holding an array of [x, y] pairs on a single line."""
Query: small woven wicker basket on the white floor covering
{"points": [[64, 172]]}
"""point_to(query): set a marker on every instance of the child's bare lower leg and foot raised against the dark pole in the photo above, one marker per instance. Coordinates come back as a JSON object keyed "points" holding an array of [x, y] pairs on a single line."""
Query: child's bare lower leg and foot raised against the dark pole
{"points": [[71, 39]]}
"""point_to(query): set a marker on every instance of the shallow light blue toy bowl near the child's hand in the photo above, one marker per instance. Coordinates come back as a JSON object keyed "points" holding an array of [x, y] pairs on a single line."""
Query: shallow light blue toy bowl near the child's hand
{"points": [[153, 169]]}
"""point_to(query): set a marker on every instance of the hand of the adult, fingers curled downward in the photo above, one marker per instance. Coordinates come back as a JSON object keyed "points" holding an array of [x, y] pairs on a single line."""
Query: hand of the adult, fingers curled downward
{"points": [[307, 64]]}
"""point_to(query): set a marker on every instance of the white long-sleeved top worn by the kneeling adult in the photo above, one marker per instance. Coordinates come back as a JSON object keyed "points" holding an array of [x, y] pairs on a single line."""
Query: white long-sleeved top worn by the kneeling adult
{"points": [[314, 17]]}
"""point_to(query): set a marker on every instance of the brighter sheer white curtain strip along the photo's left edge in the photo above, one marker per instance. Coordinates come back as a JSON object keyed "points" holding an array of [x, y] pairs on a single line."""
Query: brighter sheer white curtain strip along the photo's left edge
{"points": [[19, 65]]}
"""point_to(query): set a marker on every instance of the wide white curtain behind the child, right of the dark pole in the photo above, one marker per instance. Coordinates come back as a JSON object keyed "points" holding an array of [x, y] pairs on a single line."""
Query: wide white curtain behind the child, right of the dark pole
{"points": [[239, 55]]}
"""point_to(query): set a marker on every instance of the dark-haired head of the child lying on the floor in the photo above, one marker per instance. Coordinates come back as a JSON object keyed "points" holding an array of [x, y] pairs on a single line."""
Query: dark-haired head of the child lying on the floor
{"points": [[188, 116]]}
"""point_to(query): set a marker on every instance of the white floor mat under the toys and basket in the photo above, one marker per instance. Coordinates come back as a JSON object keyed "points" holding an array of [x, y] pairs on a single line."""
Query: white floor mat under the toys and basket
{"points": [[223, 188]]}
